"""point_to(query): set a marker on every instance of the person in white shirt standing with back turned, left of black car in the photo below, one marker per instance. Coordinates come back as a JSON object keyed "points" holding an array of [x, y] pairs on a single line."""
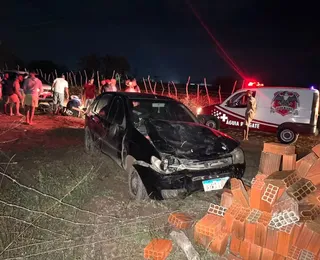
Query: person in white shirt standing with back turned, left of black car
{"points": [[59, 87]]}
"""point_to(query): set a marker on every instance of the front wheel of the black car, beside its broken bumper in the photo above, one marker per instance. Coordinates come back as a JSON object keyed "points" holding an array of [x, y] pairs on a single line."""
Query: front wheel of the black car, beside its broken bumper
{"points": [[137, 190]]}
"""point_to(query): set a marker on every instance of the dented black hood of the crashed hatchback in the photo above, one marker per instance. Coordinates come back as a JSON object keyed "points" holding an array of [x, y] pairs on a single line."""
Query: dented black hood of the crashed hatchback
{"points": [[188, 140]]}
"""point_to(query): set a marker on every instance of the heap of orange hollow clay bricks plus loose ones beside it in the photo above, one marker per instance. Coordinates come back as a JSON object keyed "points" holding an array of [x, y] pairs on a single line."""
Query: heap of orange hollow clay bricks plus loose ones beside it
{"points": [[278, 218]]}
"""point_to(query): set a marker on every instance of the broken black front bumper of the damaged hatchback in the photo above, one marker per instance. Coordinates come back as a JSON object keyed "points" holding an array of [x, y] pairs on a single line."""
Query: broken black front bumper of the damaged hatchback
{"points": [[185, 181]]}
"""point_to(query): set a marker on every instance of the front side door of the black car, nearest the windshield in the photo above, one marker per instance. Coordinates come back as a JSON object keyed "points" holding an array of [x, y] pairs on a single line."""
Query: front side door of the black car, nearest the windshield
{"points": [[114, 128]]}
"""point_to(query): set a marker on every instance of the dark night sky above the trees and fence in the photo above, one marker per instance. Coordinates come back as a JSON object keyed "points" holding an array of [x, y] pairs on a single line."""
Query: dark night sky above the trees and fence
{"points": [[275, 43]]}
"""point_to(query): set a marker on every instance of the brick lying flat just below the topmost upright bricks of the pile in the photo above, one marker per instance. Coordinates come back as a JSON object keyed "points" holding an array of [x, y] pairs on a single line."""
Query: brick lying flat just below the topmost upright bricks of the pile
{"points": [[283, 178]]}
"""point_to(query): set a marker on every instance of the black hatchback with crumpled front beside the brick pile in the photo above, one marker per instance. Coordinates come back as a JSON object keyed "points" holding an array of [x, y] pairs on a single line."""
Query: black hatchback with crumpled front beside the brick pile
{"points": [[162, 146]]}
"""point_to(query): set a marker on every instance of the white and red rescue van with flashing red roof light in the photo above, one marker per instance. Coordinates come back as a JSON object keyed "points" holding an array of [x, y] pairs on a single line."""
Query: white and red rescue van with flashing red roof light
{"points": [[287, 111]]}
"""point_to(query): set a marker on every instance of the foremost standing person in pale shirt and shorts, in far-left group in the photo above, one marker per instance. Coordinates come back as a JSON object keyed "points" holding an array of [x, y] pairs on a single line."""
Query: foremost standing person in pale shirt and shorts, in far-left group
{"points": [[32, 88]]}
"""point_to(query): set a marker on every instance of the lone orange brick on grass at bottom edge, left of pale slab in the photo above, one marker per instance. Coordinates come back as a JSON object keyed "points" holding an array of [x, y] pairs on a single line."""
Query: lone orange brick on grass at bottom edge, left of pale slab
{"points": [[158, 249]]}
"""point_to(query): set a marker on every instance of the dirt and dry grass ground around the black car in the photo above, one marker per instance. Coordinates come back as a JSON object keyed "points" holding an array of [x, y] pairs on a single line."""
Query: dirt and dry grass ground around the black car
{"points": [[59, 203]]}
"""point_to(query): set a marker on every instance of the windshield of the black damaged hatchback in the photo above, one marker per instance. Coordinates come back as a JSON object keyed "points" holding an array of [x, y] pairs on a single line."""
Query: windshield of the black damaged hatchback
{"points": [[161, 110]]}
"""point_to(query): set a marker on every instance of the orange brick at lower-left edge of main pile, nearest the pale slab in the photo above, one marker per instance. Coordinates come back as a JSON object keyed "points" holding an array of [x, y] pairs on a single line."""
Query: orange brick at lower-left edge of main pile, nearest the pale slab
{"points": [[207, 227]]}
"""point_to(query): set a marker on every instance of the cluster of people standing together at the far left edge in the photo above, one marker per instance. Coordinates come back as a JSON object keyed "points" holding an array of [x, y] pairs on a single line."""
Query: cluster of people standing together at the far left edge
{"points": [[25, 96]]}
